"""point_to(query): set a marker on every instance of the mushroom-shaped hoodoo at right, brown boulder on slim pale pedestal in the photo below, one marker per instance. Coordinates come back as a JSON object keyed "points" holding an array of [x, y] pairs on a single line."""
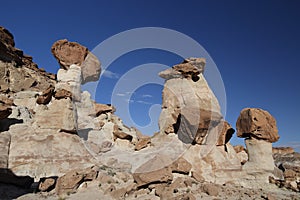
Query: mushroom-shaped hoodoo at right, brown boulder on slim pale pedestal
{"points": [[259, 128]]}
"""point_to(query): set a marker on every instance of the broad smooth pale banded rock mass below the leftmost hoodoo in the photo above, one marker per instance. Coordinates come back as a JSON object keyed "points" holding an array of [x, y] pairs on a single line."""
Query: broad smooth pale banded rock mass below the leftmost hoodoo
{"points": [[45, 152]]}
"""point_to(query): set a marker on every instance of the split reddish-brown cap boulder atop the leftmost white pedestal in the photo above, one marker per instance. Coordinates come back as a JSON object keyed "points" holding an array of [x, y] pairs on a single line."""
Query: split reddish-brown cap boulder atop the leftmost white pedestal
{"points": [[71, 53]]}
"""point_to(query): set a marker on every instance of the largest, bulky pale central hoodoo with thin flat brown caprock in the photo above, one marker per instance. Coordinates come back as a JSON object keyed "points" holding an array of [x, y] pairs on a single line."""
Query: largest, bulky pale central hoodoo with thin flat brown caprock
{"points": [[189, 107]]}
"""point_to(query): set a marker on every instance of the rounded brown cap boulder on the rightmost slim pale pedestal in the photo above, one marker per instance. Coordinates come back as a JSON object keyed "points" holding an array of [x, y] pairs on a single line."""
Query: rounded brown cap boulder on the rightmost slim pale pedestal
{"points": [[257, 123]]}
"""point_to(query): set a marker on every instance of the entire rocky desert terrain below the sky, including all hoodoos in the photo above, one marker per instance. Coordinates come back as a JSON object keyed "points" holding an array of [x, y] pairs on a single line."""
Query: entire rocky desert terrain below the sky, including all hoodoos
{"points": [[58, 143]]}
